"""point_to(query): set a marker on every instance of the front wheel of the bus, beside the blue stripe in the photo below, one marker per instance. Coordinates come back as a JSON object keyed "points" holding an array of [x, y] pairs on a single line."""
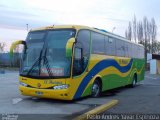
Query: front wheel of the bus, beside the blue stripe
{"points": [[96, 89]]}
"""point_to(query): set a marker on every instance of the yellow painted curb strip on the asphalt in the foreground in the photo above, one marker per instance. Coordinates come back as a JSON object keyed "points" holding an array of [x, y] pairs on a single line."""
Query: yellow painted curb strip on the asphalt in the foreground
{"points": [[97, 110]]}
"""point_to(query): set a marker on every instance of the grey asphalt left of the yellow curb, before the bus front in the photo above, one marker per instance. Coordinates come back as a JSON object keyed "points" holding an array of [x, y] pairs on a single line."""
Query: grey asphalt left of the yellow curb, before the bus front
{"points": [[13, 103]]}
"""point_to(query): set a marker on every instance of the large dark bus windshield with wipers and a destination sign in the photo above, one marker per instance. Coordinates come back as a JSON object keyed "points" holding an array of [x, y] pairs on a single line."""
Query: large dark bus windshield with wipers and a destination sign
{"points": [[45, 55]]}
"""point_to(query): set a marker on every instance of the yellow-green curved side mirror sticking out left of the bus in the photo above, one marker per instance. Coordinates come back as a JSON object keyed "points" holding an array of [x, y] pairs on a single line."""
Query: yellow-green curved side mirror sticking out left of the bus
{"points": [[14, 44]]}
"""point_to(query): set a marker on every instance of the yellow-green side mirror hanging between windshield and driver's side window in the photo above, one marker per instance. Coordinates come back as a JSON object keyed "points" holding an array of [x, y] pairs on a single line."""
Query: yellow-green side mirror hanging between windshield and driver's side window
{"points": [[69, 47]]}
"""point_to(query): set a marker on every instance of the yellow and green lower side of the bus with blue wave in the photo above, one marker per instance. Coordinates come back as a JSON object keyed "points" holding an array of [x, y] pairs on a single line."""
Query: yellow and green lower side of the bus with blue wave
{"points": [[114, 71]]}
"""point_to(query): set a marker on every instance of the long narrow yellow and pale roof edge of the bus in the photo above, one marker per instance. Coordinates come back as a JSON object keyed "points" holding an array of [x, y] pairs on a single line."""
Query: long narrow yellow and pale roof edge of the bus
{"points": [[78, 27]]}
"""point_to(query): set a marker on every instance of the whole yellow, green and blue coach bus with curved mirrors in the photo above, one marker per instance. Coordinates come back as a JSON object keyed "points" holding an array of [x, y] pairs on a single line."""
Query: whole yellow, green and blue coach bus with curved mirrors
{"points": [[68, 62]]}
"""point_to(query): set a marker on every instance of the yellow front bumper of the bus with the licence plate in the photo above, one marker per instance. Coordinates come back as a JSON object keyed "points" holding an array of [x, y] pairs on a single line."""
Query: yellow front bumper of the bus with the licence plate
{"points": [[45, 93]]}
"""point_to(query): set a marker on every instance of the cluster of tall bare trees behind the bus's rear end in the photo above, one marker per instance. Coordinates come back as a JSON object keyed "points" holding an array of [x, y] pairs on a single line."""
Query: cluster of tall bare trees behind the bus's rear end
{"points": [[144, 32]]}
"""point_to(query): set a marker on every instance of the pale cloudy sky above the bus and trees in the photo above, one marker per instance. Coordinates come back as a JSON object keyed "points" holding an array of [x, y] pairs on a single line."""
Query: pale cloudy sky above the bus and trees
{"points": [[103, 14]]}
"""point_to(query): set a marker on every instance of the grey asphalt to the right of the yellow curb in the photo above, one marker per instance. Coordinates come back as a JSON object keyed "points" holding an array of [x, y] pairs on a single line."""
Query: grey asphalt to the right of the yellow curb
{"points": [[145, 98]]}
